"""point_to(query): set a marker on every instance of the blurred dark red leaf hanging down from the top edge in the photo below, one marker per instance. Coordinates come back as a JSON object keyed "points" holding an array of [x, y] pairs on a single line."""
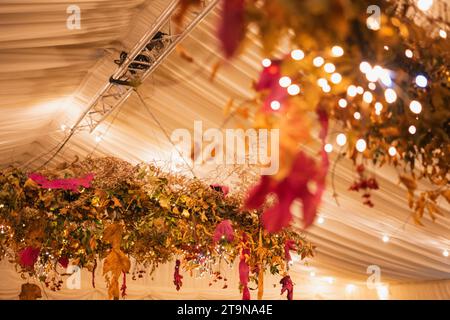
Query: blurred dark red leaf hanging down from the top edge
{"points": [[232, 26]]}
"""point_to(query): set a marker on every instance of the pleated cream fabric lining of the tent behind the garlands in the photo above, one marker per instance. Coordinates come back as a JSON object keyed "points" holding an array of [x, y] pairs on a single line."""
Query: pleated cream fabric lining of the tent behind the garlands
{"points": [[49, 74]]}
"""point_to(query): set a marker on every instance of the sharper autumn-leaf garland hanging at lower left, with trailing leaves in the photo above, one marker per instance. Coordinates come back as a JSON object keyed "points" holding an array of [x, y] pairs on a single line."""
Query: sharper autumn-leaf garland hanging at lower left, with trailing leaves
{"points": [[106, 209]]}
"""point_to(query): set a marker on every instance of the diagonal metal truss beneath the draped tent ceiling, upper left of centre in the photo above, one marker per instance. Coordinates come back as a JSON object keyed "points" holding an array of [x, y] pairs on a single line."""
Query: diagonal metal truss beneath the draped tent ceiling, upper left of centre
{"points": [[138, 64]]}
